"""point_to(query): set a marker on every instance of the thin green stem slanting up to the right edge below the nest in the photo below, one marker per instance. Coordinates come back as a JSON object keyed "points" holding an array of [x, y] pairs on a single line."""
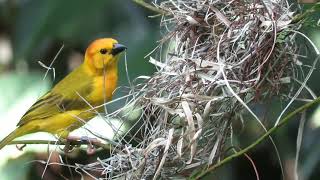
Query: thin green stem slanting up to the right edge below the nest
{"points": [[259, 140]]}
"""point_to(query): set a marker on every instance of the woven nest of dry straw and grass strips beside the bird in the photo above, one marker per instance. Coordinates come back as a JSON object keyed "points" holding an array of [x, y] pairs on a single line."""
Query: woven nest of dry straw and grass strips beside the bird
{"points": [[215, 58]]}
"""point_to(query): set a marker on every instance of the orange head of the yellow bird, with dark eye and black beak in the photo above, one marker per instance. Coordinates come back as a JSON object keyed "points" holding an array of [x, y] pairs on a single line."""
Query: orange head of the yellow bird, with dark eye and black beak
{"points": [[103, 53]]}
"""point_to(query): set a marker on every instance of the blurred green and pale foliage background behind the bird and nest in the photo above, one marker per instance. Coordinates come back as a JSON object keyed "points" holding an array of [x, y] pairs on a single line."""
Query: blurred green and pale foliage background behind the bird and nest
{"points": [[32, 31]]}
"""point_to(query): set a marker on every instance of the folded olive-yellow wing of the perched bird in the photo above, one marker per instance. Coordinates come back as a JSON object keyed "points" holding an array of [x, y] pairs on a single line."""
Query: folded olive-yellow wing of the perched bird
{"points": [[65, 96]]}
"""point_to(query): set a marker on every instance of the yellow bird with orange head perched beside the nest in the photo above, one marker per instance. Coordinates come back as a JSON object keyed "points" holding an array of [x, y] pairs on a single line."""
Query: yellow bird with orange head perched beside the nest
{"points": [[72, 101]]}
